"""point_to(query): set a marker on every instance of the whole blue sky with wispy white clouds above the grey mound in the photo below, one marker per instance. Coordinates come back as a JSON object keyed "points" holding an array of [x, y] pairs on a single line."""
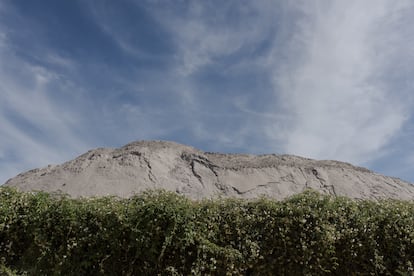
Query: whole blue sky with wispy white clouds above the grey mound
{"points": [[323, 79]]}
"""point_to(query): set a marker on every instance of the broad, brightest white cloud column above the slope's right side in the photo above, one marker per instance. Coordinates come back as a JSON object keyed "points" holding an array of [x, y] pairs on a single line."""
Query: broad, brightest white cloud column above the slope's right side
{"points": [[339, 107]]}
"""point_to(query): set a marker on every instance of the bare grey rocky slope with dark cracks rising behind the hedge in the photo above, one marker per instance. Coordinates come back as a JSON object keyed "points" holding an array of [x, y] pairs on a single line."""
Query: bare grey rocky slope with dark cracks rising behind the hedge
{"points": [[144, 165]]}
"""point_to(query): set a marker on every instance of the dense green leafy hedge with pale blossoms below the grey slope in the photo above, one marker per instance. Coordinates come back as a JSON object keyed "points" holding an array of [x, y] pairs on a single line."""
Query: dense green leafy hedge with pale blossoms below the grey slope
{"points": [[166, 234]]}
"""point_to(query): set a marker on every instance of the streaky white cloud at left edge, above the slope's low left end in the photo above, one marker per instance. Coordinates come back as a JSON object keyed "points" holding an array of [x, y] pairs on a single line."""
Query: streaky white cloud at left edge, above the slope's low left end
{"points": [[35, 130]]}
